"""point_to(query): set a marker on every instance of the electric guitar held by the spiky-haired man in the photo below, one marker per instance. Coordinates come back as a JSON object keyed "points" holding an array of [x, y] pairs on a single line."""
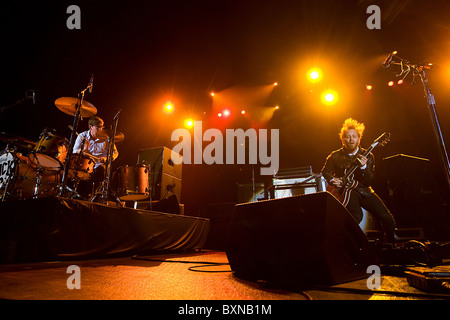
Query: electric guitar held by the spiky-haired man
{"points": [[348, 181]]}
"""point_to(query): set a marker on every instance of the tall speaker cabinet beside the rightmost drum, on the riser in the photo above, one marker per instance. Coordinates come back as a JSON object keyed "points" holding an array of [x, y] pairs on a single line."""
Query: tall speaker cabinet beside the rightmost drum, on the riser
{"points": [[165, 175]]}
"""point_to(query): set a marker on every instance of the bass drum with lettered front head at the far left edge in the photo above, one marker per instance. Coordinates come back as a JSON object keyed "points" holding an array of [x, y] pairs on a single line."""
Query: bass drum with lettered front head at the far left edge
{"points": [[21, 179]]}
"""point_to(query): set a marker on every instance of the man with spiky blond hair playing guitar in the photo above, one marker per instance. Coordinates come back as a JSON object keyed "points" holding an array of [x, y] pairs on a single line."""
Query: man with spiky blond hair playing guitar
{"points": [[361, 194]]}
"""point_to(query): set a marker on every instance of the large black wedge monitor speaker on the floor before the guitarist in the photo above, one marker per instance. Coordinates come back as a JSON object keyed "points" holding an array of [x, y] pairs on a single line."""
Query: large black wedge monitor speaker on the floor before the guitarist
{"points": [[298, 242]]}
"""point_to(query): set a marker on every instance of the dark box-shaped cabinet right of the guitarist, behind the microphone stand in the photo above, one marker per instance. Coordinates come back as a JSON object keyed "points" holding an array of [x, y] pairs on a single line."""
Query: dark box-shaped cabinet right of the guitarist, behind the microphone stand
{"points": [[413, 199]]}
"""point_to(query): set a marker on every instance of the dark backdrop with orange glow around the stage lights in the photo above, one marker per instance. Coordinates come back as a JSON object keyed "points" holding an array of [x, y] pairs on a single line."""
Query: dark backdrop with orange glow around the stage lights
{"points": [[143, 53]]}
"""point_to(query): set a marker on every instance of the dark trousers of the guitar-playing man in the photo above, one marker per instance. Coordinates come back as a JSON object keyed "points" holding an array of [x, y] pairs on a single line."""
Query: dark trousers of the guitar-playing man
{"points": [[373, 204]]}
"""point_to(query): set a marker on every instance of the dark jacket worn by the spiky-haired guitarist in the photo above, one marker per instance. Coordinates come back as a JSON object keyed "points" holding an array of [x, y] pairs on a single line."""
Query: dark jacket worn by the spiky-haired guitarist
{"points": [[339, 161]]}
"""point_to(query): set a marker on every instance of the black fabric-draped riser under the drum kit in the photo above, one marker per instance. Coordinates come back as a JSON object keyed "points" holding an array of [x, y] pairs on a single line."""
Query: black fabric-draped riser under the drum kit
{"points": [[58, 228]]}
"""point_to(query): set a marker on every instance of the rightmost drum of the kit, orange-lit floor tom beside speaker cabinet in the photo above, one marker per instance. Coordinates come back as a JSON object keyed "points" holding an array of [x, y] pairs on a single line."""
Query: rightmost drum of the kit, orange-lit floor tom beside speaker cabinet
{"points": [[133, 182]]}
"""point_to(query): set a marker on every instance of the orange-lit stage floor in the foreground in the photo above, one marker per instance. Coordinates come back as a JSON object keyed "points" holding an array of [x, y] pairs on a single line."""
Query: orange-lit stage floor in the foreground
{"points": [[196, 275]]}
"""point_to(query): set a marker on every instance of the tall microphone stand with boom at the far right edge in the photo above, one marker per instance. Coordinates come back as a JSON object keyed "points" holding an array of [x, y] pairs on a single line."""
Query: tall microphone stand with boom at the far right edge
{"points": [[406, 67]]}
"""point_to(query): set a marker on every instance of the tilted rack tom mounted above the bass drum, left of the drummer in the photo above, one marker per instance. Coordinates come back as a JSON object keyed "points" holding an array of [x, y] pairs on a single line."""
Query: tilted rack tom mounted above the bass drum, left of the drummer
{"points": [[50, 152]]}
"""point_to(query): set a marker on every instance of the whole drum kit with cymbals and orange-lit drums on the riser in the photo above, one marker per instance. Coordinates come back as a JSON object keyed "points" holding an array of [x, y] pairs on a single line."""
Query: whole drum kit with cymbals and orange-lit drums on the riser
{"points": [[47, 167]]}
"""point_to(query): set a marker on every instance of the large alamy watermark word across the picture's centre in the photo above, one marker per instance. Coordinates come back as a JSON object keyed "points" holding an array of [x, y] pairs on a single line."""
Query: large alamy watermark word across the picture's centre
{"points": [[213, 153]]}
